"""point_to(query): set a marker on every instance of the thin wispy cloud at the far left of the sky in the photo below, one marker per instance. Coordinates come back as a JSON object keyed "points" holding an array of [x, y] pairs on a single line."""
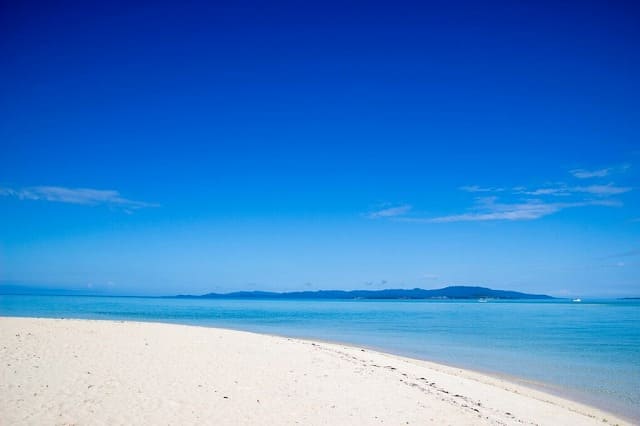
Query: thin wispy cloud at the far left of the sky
{"points": [[84, 196]]}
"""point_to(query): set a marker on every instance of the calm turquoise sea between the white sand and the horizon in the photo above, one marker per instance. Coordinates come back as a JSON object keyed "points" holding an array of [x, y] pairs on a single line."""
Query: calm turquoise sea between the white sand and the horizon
{"points": [[589, 351]]}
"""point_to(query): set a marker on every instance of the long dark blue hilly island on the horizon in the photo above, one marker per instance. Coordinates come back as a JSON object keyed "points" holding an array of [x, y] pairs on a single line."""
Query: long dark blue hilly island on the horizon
{"points": [[452, 292]]}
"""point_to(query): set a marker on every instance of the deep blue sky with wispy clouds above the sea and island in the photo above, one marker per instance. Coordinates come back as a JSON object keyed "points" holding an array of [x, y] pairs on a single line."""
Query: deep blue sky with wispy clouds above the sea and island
{"points": [[190, 147]]}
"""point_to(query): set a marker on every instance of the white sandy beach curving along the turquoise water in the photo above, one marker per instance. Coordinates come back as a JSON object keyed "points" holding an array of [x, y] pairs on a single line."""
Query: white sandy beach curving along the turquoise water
{"points": [[60, 371]]}
